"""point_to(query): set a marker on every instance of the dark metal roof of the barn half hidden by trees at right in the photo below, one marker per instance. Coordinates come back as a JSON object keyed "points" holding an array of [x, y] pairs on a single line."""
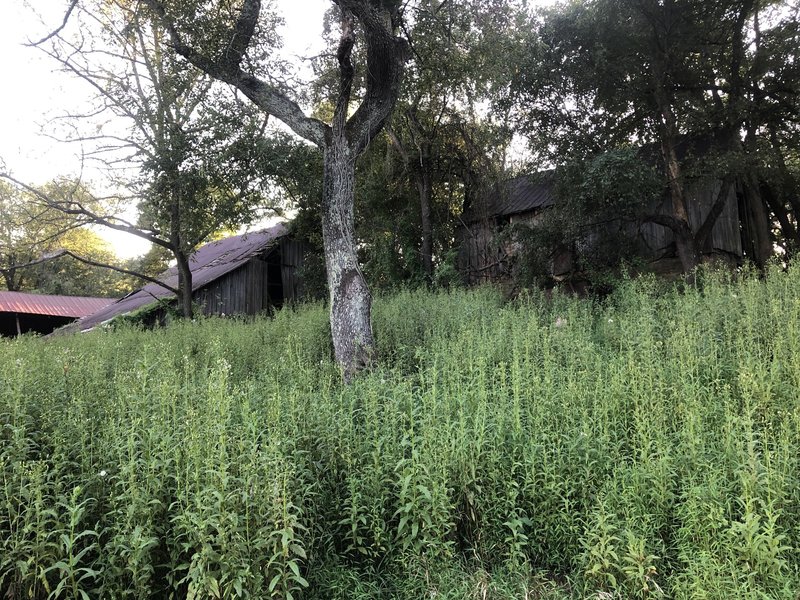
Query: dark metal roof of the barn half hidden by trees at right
{"points": [[518, 195]]}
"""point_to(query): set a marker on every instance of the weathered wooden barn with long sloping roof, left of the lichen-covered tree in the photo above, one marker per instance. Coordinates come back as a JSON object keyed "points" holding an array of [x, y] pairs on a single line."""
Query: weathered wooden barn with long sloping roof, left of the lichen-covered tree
{"points": [[241, 275]]}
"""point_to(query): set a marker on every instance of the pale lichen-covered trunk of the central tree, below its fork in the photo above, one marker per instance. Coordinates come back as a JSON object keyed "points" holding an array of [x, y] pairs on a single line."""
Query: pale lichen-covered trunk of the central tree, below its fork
{"points": [[350, 300]]}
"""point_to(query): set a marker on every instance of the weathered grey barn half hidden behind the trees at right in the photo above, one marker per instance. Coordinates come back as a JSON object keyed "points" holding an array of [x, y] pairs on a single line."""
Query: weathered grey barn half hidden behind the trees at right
{"points": [[486, 255]]}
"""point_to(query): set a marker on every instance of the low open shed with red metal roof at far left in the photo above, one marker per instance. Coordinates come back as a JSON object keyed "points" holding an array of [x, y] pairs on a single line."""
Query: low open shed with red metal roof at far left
{"points": [[38, 313]]}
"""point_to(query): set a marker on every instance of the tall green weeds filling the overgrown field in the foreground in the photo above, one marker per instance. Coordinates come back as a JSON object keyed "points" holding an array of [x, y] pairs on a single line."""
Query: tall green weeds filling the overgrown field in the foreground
{"points": [[644, 446]]}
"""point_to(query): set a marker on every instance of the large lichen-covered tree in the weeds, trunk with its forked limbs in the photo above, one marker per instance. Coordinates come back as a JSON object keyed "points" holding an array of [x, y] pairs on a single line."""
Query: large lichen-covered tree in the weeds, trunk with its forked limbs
{"points": [[348, 136]]}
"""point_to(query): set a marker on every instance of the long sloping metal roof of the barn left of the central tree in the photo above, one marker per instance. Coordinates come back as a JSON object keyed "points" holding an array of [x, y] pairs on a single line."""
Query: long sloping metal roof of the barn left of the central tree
{"points": [[208, 263]]}
